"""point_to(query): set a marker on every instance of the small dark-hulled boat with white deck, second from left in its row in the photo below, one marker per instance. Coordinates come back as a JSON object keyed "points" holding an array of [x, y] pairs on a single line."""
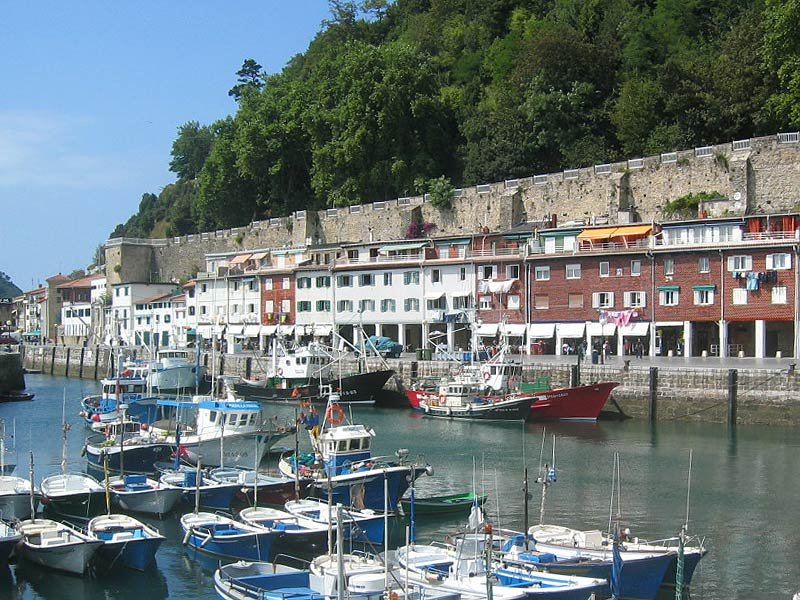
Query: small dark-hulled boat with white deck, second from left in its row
{"points": [[73, 495]]}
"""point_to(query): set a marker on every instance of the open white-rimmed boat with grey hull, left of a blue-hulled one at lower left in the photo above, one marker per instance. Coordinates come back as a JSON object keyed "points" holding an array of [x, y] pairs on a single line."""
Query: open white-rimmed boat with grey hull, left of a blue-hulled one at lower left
{"points": [[56, 545]]}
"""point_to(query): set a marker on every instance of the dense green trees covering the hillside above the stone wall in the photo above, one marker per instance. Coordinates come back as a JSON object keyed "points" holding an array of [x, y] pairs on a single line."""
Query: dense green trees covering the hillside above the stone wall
{"points": [[389, 94]]}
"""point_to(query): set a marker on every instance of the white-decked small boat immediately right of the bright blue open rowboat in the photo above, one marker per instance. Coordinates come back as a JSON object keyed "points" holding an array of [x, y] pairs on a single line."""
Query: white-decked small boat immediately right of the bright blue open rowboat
{"points": [[297, 534]]}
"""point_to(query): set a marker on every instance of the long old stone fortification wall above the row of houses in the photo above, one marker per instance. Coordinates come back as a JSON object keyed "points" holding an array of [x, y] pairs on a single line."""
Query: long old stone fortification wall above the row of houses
{"points": [[761, 175]]}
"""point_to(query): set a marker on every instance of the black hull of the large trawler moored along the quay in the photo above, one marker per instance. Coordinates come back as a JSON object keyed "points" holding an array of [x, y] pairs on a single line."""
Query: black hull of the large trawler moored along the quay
{"points": [[360, 388]]}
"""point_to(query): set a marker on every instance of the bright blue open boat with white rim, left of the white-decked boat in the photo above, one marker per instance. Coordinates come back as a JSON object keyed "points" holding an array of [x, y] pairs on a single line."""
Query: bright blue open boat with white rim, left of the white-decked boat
{"points": [[222, 537]]}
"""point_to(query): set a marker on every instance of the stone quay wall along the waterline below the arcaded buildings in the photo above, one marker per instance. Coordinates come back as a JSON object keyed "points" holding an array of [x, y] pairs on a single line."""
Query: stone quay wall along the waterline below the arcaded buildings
{"points": [[746, 396]]}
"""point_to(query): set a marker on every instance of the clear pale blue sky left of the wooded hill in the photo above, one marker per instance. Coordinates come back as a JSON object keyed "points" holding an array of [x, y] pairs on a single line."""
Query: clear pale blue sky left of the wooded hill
{"points": [[92, 97]]}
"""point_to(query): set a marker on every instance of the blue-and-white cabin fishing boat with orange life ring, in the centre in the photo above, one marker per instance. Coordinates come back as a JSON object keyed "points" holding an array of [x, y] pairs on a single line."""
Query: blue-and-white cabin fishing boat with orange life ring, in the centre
{"points": [[342, 460]]}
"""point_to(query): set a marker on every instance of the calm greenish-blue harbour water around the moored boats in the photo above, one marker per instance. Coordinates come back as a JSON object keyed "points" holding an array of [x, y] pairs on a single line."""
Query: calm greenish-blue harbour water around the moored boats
{"points": [[743, 498]]}
